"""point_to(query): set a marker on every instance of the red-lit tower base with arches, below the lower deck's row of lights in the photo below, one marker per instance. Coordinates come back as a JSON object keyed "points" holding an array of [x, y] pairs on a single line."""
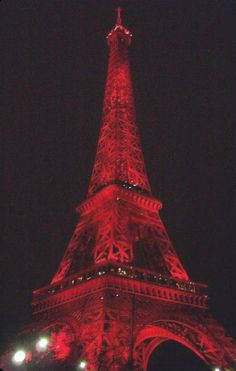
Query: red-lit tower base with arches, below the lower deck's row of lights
{"points": [[113, 329]]}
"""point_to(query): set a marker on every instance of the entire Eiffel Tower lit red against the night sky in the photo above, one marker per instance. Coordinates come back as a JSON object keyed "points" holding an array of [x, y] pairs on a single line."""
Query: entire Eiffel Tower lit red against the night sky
{"points": [[120, 289]]}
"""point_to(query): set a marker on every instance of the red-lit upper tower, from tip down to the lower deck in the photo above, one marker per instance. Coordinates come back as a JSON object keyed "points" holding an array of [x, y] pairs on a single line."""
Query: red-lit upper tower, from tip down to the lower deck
{"points": [[124, 226]]}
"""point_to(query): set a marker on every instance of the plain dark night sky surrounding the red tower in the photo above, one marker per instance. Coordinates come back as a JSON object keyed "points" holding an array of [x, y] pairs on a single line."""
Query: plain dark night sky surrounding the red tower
{"points": [[53, 63]]}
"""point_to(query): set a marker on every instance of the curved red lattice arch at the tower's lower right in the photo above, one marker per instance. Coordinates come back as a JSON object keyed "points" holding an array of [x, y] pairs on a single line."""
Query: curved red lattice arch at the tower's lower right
{"points": [[211, 349]]}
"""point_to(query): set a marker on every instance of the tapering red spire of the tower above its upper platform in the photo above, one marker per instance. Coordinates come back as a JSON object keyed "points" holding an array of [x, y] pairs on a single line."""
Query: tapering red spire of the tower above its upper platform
{"points": [[119, 158]]}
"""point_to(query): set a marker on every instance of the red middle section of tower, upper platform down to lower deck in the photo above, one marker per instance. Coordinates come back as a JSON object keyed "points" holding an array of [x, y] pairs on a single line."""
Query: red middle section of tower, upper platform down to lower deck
{"points": [[123, 227]]}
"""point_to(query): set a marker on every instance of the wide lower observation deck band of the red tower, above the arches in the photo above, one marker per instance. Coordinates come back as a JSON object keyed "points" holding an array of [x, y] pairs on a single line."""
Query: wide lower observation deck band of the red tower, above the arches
{"points": [[120, 278]]}
